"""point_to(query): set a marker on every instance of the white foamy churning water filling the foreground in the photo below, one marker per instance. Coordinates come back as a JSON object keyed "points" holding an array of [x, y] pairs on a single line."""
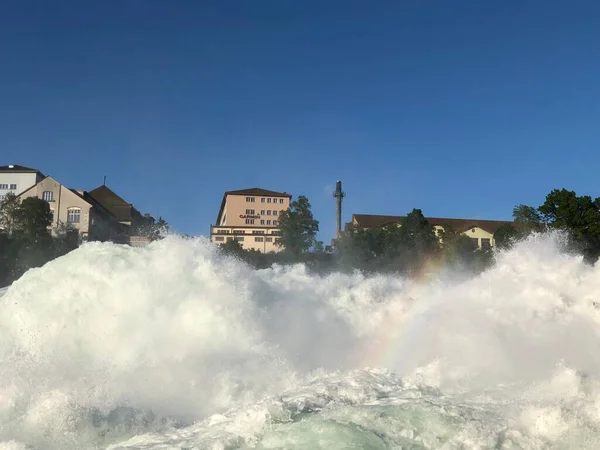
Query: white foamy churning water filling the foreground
{"points": [[173, 346]]}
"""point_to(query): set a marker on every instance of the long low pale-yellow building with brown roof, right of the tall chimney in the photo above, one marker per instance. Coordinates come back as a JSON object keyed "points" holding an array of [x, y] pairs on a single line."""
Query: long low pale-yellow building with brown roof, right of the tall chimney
{"points": [[481, 231]]}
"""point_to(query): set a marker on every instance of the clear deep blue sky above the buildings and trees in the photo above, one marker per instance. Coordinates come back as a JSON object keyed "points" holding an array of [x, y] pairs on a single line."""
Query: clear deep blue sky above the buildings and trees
{"points": [[460, 108]]}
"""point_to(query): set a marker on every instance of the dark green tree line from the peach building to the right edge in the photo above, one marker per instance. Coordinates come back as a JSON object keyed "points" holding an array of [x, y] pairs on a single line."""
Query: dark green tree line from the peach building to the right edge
{"points": [[411, 246]]}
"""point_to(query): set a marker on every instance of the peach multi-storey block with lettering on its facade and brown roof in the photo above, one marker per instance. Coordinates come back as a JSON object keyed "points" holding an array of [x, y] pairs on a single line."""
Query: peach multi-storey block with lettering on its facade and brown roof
{"points": [[250, 216]]}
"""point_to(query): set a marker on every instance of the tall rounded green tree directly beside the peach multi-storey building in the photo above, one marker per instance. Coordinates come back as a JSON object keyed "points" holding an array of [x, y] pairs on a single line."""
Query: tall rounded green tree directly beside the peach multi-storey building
{"points": [[298, 227]]}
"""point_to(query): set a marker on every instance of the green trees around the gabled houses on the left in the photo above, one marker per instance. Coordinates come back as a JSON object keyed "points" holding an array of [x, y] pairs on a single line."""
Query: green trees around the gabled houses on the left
{"points": [[27, 242]]}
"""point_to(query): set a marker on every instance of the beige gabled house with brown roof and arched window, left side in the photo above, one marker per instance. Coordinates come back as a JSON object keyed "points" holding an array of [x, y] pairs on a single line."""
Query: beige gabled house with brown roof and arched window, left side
{"points": [[77, 209]]}
